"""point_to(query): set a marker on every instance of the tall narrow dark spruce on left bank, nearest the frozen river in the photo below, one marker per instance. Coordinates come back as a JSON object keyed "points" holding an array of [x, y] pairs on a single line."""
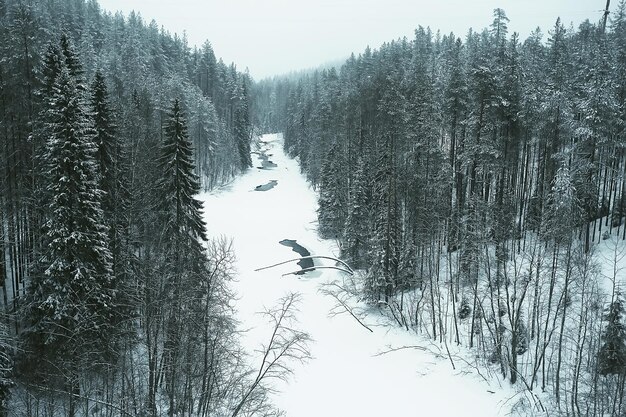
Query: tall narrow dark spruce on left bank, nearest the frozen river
{"points": [[182, 229]]}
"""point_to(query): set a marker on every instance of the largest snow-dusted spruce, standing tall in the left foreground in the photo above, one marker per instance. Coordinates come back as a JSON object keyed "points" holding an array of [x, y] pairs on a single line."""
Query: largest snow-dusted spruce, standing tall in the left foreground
{"points": [[70, 298]]}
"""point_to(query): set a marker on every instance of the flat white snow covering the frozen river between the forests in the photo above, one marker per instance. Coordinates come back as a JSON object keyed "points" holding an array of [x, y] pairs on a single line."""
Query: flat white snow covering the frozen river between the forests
{"points": [[350, 373]]}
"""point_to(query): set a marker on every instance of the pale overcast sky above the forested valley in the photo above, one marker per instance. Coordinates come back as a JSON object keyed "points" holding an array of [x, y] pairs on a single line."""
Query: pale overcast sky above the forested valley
{"points": [[272, 37]]}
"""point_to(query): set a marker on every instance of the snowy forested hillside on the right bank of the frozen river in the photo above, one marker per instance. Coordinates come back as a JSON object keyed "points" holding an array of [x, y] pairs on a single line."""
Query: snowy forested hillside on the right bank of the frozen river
{"points": [[479, 182]]}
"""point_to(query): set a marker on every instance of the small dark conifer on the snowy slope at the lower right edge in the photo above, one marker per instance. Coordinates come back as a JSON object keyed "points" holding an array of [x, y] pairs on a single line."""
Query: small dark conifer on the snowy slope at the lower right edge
{"points": [[612, 354]]}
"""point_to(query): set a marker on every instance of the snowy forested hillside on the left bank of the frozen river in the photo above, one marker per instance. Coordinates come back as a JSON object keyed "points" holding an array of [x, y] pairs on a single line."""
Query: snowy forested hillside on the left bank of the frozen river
{"points": [[112, 303]]}
